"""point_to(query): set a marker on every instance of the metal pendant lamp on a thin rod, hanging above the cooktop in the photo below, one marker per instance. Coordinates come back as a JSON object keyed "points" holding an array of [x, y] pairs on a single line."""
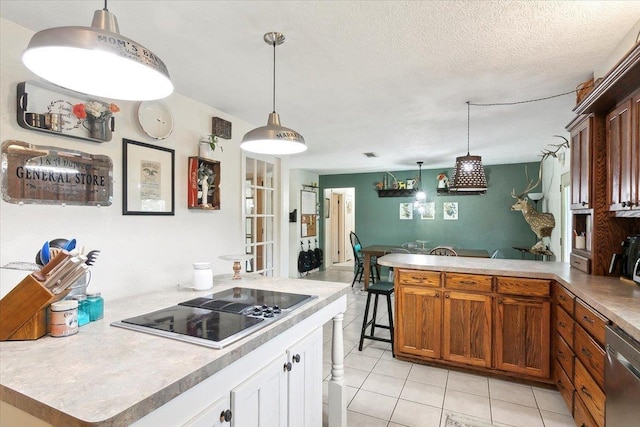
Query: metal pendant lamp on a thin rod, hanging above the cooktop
{"points": [[273, 138]]}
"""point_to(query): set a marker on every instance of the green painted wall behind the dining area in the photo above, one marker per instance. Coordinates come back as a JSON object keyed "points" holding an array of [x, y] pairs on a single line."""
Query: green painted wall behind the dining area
{"points": [[484, 221]]}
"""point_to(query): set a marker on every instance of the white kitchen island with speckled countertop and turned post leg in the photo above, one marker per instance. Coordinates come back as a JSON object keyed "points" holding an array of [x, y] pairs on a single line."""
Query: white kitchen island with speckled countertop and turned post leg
{"points": [[107, 376]]}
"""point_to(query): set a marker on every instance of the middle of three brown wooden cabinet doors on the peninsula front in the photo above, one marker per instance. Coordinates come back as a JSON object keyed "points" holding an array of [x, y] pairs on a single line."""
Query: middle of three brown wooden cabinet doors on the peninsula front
{"points": [[467, 328]]}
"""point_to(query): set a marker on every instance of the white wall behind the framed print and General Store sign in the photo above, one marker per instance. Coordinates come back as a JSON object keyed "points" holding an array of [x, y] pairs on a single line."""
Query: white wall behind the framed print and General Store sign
{"points": [[138, 253]]}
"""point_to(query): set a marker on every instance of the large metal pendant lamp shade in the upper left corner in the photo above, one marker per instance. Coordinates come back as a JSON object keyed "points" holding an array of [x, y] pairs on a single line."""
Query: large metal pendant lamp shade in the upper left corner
{"points": [[98, 61]]}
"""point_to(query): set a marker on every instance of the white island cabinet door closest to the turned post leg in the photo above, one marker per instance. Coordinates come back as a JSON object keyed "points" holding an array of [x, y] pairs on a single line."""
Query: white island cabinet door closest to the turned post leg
{"points": [[305, 381]]}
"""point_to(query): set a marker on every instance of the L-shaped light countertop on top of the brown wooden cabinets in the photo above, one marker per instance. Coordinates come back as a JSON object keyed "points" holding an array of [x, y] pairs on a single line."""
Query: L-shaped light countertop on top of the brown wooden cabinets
{"points": [[616, 299]]}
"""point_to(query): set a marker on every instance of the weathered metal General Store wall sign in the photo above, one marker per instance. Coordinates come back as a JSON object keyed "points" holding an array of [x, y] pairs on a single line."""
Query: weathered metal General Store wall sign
{"points": [[55, 176]]}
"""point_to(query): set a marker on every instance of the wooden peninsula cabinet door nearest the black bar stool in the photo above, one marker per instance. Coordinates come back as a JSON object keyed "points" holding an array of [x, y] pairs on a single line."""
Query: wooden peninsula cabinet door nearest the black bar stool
{"points": [[418, 320]]}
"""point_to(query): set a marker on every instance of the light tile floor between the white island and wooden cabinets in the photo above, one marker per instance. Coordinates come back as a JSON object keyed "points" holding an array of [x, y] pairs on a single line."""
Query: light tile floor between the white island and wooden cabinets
{"points": [[386, 392]]}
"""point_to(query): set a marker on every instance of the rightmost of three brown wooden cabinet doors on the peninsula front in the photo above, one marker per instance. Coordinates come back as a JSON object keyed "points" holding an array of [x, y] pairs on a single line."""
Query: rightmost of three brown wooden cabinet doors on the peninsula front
{"points": [[522, 340]]}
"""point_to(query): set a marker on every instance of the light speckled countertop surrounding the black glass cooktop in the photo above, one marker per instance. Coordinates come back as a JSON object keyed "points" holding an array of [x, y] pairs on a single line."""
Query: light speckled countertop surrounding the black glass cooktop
{"points": [[113, 376]]}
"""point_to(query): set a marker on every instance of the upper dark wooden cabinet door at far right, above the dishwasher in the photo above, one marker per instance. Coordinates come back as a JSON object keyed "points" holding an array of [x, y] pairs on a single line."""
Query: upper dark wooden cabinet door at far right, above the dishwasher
{"points": [[619, 158]]}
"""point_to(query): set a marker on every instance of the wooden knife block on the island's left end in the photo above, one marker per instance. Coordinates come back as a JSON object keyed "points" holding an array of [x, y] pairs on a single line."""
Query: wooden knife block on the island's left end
{"points": [[23, 311]]}
